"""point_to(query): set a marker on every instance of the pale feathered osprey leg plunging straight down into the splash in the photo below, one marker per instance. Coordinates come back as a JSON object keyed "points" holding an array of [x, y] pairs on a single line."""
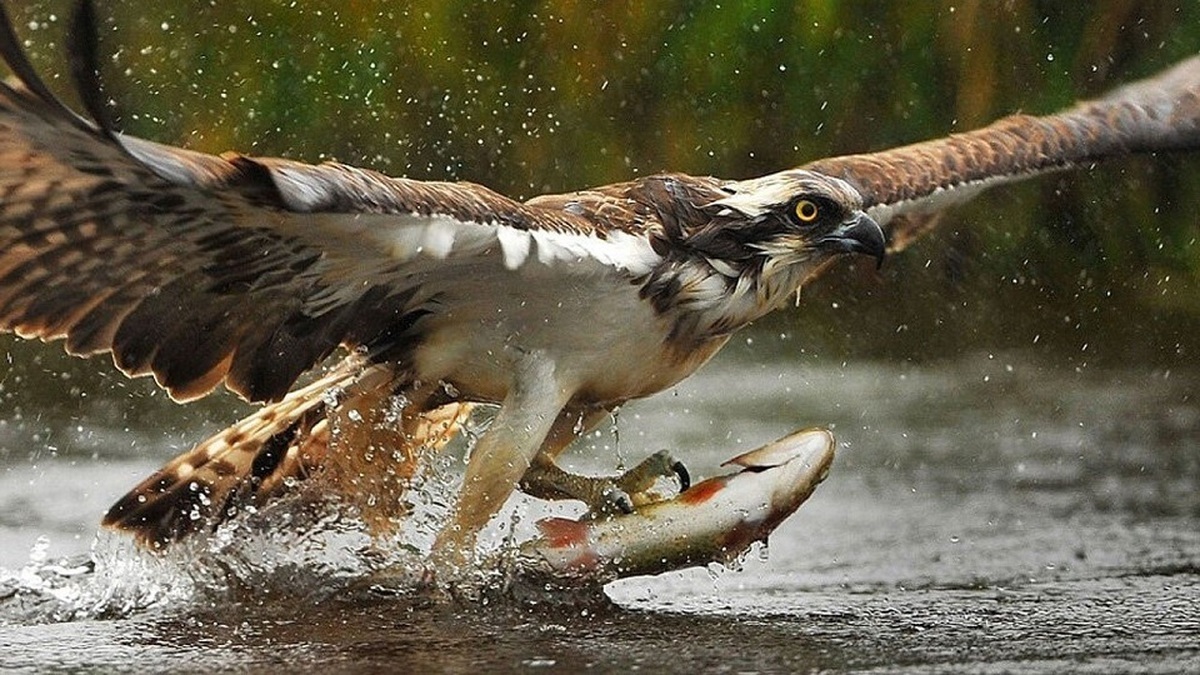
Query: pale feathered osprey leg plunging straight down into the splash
{"points": [[500, 459]]}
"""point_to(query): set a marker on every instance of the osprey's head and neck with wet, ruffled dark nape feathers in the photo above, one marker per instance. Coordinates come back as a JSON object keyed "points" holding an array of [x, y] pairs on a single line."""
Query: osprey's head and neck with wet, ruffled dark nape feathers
{"points": [[742, 248]]}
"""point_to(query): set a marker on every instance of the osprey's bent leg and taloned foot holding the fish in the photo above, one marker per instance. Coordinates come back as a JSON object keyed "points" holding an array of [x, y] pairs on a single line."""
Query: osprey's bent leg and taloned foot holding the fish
{"points": [[603, 495]]}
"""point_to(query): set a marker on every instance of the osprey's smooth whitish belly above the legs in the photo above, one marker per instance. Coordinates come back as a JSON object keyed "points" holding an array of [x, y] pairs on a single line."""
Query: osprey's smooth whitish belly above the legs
{"points": [[608, 345]]}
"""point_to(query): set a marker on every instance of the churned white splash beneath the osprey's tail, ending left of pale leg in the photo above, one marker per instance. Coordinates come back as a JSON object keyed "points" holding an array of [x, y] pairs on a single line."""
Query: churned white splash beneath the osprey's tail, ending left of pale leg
{"points": [[296, 548]]}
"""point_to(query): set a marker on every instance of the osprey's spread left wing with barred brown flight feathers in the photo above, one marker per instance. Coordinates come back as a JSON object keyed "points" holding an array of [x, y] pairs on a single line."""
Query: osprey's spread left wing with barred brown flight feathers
{"points": [[247, 272]]}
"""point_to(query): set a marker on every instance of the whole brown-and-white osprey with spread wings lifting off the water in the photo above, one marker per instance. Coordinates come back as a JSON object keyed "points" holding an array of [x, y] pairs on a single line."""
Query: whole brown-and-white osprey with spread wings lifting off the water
{"points": [[245, 272]]}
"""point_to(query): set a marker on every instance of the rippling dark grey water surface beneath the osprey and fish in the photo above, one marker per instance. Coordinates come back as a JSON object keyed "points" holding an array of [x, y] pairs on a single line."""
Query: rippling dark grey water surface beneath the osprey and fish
{"points": [[987, 515]]}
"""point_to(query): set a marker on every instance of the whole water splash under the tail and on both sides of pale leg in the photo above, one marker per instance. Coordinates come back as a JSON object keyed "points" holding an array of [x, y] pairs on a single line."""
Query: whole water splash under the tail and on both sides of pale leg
{"points": [[304, 546]]}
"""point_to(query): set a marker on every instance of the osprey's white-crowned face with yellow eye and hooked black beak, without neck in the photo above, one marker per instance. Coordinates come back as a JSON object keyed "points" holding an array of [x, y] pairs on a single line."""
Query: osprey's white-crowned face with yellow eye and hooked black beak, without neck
{"points": [[796, 218]]}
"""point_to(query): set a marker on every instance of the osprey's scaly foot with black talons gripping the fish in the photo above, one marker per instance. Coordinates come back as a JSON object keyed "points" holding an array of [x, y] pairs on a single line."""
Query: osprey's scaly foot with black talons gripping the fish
{"points": [[609, 495]]}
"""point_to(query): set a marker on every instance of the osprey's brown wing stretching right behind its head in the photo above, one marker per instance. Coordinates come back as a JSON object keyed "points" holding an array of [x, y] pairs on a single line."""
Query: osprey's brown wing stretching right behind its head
{"points": [[905, 187]]}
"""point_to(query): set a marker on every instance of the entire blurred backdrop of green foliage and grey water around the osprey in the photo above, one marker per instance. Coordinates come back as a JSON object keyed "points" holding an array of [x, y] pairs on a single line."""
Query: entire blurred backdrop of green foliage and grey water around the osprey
{"points": [[1016, 396]]}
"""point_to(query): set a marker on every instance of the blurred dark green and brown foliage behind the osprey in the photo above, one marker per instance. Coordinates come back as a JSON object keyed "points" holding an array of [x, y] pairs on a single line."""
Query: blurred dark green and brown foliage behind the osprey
{"points": [[547, 97]]}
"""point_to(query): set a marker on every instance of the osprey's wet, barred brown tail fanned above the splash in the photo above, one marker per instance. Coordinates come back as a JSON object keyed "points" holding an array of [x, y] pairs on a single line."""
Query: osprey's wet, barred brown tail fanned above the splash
{"points": [[320, 429]]}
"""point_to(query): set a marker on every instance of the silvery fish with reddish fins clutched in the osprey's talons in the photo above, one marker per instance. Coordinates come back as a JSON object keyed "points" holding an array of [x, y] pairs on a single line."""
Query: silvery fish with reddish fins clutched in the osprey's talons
{"points": [[716, 521]]}
